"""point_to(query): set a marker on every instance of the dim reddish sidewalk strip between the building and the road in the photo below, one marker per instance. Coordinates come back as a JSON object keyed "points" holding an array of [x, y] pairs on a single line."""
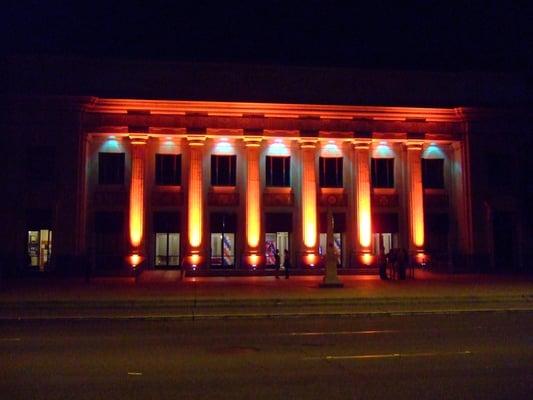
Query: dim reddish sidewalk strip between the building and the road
{"points": [[161, 294]]}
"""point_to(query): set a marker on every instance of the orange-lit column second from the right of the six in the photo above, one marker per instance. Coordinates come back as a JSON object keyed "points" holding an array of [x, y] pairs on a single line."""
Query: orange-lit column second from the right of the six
{"points": [[363, 196]]}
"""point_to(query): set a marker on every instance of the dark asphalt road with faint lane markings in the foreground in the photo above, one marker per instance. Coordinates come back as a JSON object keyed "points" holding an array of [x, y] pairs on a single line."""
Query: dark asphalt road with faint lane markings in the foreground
{"points": [[468, 356]]}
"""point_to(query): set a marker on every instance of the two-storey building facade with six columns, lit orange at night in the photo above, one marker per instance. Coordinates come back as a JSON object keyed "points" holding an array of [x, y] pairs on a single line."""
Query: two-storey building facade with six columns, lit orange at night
{"points": [[220, 185]]}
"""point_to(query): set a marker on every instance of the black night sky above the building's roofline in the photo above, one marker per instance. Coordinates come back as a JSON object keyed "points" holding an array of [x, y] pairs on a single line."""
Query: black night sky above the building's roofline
{"points": [[442, 35]]}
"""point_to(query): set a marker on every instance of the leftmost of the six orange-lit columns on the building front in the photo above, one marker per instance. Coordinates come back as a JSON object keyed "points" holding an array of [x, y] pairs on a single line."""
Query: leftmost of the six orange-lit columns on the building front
{"points": [[138, 146]]}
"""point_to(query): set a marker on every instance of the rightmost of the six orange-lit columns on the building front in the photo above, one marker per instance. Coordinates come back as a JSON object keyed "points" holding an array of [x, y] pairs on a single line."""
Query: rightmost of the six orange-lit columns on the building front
{"points": [[415, 196]]}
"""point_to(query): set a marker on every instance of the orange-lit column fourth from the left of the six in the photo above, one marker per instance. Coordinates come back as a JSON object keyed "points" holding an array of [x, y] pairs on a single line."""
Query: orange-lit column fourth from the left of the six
{"points": [[309, 214]]}
